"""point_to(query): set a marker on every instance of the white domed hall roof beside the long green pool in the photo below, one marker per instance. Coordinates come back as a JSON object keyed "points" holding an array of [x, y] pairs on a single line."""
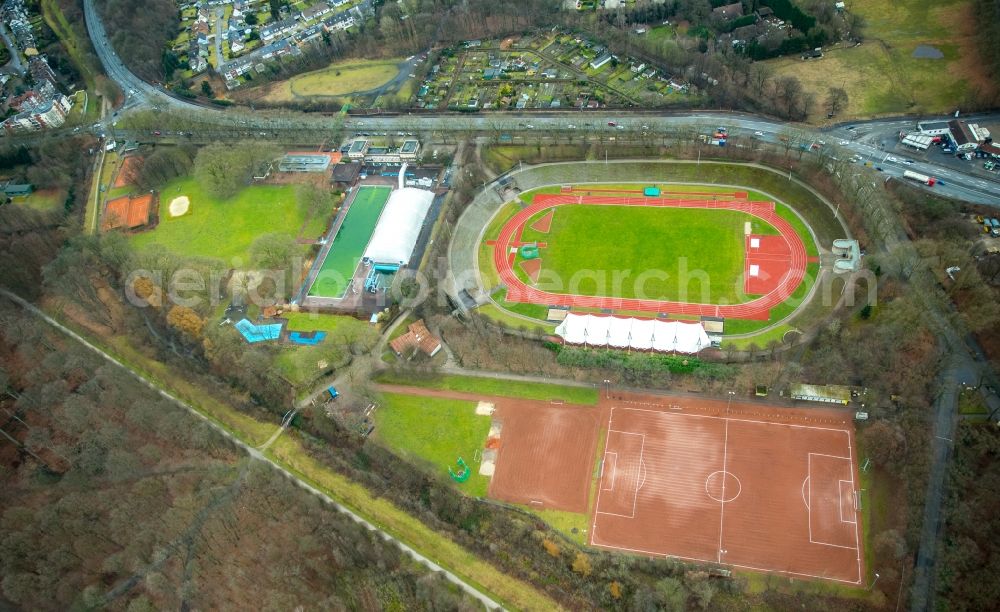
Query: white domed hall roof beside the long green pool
{"points": [[399, 226]]}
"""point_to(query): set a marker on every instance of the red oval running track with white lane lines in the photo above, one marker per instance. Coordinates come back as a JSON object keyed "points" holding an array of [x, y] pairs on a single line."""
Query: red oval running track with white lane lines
{"points": [[758, 308]]}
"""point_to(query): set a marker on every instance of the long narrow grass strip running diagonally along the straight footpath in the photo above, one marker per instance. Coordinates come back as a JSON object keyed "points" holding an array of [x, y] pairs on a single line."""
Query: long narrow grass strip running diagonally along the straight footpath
{"points": [[290, 453]]}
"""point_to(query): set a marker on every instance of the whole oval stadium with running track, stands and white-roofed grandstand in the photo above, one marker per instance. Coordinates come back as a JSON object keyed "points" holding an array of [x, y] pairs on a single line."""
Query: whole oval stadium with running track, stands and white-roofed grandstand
{"points": [[644, 261]]}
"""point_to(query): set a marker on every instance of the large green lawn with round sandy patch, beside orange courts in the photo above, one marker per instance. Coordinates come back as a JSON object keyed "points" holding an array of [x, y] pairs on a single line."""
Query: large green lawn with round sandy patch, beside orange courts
{"points": [[223, 229]]}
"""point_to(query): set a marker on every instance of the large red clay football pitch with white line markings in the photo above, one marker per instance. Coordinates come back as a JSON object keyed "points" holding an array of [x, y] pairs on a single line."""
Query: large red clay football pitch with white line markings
{"points": [[754, 488]]}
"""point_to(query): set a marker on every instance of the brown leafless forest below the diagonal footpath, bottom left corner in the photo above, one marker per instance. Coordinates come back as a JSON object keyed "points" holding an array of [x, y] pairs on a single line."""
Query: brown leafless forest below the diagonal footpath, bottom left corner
{"points": [[115, 498]]}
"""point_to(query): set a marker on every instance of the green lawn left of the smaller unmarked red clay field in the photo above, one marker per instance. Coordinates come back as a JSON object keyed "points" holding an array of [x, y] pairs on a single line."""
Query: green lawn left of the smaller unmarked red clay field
{"points": [[435, 432]]}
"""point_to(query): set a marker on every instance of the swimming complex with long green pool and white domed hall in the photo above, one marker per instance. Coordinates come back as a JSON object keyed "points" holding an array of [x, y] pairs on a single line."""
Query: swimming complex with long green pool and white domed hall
{"points": [[377, 232]]}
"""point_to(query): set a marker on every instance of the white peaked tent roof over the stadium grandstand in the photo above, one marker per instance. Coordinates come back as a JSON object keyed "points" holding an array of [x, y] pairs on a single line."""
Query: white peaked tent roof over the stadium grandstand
{"points": [[639, 334]]}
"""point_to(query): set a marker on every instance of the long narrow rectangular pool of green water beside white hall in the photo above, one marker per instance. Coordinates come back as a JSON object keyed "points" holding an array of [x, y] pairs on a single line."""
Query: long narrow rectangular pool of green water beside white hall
{"points": [[350, 242]]}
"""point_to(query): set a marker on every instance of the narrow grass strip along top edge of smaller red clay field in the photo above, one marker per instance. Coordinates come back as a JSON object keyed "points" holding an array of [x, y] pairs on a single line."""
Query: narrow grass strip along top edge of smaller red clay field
{"points": [[496, 387]]}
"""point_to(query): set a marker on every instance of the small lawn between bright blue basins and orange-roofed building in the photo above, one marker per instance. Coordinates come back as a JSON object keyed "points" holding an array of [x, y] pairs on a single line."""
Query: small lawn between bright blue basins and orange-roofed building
{"points": [[302, 364]]}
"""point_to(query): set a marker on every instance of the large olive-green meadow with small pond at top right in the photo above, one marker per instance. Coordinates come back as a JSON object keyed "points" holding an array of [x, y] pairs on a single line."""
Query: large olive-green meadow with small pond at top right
{"points": [[882, 76]]}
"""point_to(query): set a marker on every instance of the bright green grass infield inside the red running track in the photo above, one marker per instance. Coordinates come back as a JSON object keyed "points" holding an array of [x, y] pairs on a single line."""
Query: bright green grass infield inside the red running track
{"points": [[679, 254]]}
